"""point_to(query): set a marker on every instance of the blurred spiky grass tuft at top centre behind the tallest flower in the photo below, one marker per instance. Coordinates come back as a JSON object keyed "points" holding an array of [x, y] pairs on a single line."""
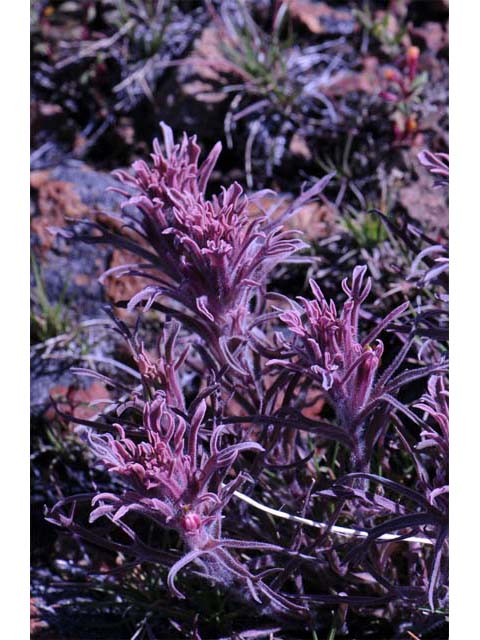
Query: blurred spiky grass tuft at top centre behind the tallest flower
{"points": [[275, 86]]}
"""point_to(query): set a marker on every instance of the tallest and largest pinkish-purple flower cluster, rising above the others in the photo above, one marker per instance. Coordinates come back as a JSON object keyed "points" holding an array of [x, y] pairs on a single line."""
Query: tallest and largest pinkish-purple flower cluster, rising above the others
{"points": [[211, 256]]}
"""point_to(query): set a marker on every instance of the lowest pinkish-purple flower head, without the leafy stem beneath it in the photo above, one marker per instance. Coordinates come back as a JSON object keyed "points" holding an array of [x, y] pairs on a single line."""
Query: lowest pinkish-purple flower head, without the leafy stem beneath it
{"points": [[167, 479]]}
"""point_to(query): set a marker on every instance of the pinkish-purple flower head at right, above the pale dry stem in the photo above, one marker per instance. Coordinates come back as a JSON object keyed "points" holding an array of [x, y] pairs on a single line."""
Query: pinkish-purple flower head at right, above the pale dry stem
{"points": [[325, 345]]}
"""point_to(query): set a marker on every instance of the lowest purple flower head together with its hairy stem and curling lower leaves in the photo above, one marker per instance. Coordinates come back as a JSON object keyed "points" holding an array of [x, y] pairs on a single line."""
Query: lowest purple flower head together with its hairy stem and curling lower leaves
{"points": [[172, 480]]}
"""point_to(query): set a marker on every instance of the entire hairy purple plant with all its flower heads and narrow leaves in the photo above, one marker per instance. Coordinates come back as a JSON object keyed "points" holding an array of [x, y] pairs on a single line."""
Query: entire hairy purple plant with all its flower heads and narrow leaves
{"points": [[177, 448]]}
